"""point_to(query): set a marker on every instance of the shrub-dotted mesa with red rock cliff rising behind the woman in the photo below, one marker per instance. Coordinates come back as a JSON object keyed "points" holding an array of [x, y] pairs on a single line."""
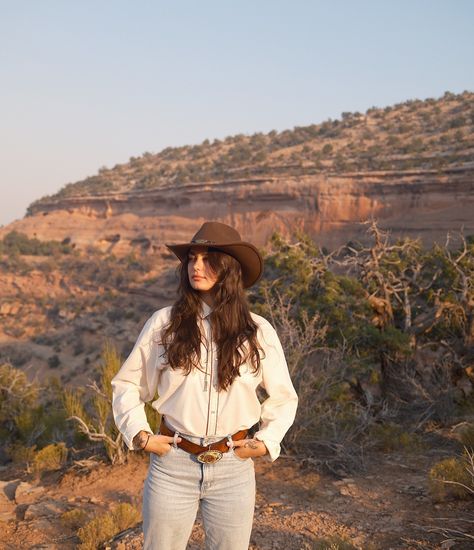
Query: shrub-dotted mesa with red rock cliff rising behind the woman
{"points": [[410, 166]]}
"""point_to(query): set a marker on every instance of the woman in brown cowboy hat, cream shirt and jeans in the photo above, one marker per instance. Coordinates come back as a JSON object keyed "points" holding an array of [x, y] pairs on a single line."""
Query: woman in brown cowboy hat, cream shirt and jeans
{"points": [[206, 355]]}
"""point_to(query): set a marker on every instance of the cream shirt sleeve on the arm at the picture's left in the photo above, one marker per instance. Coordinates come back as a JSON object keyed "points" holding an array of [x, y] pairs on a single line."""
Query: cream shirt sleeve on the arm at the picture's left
{"points": [[135, 383]]}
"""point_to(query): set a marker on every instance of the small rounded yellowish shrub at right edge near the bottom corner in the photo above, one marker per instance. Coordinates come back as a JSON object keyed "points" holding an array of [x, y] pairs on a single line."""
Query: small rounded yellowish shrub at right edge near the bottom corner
{"points": [[452, 478]]}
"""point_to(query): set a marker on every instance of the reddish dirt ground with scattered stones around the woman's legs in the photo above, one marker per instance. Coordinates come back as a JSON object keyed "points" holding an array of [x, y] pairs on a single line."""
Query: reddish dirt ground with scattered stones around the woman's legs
{"points": [[387, 506]]}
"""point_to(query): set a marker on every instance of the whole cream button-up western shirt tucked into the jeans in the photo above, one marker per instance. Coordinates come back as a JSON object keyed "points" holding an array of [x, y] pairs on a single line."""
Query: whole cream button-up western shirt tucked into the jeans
{"points": [[192, 404]]}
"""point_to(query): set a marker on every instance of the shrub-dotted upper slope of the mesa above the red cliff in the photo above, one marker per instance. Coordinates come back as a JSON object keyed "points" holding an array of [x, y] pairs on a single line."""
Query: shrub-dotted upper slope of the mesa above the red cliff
{"points": [[433, 134]]}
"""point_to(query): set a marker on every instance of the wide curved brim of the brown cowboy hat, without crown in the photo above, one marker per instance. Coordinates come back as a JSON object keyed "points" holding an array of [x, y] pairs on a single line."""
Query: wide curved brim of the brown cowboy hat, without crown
{"points": [[245, 253]]}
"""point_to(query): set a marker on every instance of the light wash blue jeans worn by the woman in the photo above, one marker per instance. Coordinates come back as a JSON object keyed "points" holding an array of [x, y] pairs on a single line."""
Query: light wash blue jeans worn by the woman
{"points": [[175, 485]]}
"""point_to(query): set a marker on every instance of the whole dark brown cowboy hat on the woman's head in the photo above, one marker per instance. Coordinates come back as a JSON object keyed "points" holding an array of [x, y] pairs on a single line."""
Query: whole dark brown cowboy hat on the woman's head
{"points": [[227, 239]]}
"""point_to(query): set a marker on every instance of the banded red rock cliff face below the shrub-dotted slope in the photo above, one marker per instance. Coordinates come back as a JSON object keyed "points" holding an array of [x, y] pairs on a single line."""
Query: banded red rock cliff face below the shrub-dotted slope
{"points": [[330, 208]]}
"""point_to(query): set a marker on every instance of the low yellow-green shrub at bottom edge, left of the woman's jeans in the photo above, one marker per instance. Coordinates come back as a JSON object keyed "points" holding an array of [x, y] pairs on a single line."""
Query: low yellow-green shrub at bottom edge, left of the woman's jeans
{"points": [[105, 526]]}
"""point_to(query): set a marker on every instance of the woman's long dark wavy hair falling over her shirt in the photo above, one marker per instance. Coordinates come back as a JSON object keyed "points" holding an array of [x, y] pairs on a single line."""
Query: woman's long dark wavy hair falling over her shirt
{"points": [[233, 329]]}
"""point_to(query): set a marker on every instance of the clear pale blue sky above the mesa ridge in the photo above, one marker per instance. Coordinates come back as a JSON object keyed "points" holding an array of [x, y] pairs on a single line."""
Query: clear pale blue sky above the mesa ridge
{"points": [[88, 84]]}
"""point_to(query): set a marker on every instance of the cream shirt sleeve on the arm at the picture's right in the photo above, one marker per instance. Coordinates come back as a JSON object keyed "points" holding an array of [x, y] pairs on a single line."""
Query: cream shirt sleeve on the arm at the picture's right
{"points": [[279, 409]]}
